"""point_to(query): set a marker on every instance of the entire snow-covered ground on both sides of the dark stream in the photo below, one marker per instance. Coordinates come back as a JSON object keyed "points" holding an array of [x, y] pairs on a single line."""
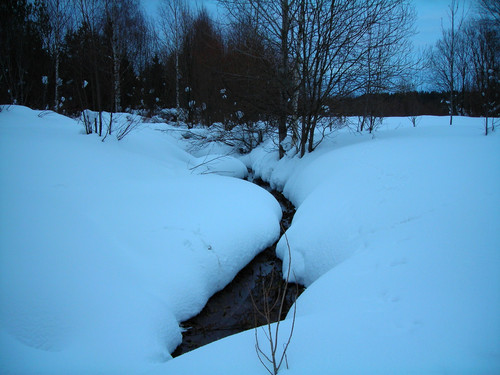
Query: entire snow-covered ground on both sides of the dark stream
{"points": [[105, 247]]}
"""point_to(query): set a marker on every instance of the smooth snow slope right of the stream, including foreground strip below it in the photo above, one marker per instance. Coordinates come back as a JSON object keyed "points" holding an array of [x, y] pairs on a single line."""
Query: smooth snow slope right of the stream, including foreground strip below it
{"points": [[397, 237]]}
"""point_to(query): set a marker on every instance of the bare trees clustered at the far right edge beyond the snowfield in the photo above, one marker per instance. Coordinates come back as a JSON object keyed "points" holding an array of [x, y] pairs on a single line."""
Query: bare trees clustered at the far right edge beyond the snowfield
{"points": [[465, 62]]}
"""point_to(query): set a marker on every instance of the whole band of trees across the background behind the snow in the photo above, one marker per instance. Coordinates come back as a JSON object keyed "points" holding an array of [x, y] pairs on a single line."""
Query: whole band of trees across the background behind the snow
{"points": [[289, 62]]}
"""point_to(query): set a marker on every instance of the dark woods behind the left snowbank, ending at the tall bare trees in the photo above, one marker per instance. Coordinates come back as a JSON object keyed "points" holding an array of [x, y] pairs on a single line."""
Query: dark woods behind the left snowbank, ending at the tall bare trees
{"points": [[105, 55]]}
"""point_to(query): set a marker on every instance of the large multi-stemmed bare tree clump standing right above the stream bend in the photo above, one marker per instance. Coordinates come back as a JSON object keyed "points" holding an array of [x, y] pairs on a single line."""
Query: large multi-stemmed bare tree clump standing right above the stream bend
{"points": [[321, 47]]}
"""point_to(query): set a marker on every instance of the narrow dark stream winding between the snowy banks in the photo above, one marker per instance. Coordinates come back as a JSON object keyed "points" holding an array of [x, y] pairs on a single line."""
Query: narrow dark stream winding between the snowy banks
{"points": [[233, 309]]}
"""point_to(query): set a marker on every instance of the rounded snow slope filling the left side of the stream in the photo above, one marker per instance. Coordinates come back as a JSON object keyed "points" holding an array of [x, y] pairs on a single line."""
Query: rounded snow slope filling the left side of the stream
{"points": [[106, 247]]}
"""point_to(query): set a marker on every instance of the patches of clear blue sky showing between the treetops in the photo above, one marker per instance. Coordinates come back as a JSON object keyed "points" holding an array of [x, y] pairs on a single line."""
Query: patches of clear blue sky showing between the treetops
{"points": [[430, 15]]}
